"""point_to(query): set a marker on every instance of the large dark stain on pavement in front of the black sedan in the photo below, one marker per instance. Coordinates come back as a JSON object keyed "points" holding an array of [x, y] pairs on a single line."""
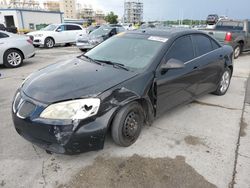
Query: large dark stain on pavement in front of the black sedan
{"points": [[138, 172]]}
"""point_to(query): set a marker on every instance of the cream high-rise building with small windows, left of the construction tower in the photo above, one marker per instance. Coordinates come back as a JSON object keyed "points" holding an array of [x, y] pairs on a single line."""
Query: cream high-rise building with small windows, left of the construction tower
{"points": [[68, 7]]}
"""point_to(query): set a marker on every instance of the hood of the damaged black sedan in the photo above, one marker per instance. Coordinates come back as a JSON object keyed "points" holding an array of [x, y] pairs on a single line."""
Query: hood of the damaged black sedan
{"points": [[73, 79]]}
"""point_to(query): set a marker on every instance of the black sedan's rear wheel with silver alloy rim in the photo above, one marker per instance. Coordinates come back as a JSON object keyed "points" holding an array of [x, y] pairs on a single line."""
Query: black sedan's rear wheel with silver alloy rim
{"points": [[224, 82]]}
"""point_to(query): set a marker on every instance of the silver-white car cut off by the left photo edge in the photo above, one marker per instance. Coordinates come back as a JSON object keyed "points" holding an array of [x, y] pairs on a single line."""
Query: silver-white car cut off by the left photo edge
{"points": [[14, 49]]}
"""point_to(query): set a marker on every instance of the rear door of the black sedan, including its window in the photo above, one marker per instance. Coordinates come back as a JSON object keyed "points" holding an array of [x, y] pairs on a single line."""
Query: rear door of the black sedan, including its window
{"points": [[210, 62]]}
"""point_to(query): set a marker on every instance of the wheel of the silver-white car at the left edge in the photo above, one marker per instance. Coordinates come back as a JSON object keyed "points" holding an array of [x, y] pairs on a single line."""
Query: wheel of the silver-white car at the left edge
{"points": [[13, 58]]}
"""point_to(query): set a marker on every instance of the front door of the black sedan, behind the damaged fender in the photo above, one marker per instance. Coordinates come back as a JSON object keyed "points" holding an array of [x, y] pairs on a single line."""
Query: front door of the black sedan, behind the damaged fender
{"points": [[176, 86]]}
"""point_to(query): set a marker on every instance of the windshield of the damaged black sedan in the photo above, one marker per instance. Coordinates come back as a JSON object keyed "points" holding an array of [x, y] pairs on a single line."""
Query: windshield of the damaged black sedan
{"points": [[134, 53]]}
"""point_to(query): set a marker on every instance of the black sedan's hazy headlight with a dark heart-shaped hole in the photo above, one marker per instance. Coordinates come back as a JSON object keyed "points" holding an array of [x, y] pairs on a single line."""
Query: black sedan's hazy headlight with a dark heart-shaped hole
{"points": [[72, 110]]}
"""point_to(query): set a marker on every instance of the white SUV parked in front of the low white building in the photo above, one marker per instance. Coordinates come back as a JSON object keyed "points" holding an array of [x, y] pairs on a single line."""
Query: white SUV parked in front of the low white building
{"points": [[56, 34]]}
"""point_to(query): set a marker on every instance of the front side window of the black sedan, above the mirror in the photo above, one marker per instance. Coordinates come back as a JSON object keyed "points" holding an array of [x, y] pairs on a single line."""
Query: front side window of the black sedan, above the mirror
{"points": [[182, 49]]}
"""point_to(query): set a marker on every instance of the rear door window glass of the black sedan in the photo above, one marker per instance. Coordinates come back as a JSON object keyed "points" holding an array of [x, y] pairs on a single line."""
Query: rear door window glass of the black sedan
{"points": [[203, 44]]}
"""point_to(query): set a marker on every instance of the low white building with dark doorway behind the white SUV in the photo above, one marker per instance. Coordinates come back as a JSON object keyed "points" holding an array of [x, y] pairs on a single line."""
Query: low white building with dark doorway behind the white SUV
{"points": [[27, 19]]}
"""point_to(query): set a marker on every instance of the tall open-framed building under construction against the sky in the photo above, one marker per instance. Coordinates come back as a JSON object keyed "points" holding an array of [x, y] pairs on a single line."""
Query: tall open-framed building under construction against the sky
{"points": [[133, 11]]}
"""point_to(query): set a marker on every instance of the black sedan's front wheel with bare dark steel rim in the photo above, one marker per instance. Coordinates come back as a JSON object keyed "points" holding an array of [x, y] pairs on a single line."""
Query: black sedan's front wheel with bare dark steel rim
{"points": [[127, 124]]}
